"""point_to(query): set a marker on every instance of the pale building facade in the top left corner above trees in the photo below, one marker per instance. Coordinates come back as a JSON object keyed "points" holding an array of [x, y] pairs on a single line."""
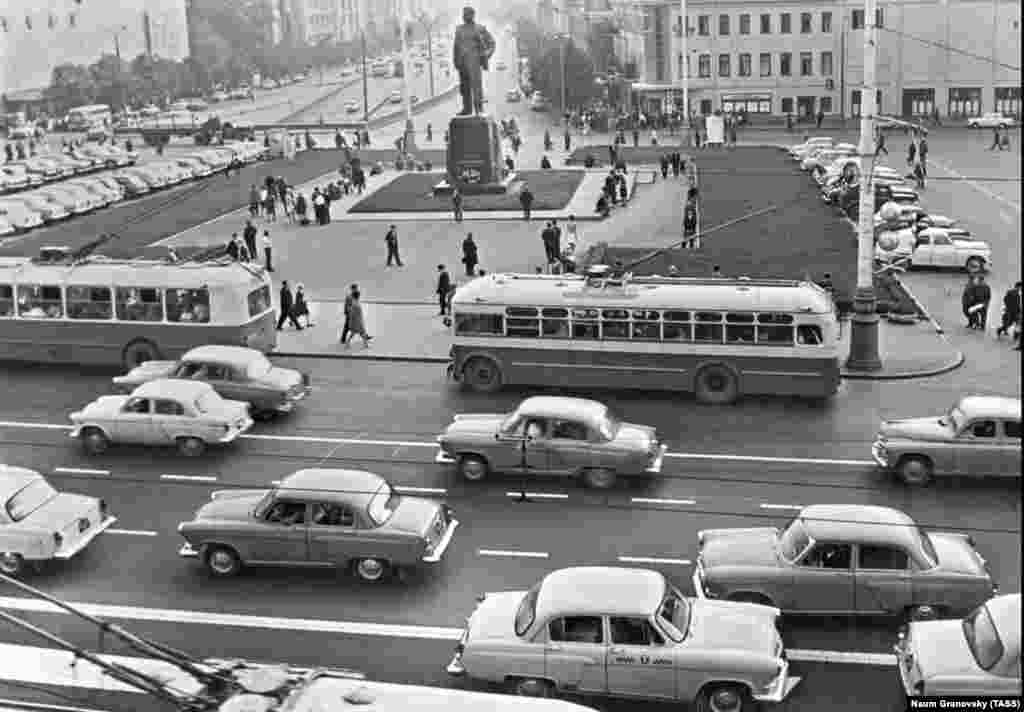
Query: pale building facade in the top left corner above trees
{"points": [[37, 36]]}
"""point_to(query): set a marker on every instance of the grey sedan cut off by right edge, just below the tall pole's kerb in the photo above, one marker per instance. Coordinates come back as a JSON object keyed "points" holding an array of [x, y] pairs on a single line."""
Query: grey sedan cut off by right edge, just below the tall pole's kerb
{"points": [[980, 436]]}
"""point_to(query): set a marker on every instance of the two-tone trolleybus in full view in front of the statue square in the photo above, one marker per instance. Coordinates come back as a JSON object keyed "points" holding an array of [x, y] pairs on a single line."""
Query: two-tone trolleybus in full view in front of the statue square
{"points": [[719, 339]]}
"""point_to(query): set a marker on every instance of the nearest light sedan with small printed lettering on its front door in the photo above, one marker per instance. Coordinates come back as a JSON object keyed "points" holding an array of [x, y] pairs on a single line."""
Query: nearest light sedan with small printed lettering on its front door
{"points": [[625, 633]]}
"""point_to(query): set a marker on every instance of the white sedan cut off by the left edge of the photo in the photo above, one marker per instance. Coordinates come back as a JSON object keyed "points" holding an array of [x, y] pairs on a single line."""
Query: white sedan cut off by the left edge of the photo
{"points": [[38, 524]]}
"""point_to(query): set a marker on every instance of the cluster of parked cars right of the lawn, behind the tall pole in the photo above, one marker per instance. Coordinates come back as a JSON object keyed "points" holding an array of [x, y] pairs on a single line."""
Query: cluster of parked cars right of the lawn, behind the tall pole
{"points": [[916, 238]]}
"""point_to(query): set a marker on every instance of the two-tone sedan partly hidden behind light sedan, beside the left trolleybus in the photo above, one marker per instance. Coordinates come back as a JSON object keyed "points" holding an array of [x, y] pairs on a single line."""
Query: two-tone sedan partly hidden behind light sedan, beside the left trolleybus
{"points": [[235, 372]]}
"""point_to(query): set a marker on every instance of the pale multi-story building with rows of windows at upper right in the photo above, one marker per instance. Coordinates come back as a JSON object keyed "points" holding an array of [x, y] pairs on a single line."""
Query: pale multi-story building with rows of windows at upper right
{"points": [[958, 57]]}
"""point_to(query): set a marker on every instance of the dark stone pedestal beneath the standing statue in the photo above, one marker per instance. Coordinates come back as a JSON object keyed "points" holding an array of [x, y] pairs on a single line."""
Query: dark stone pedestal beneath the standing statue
{"points": [[475, 158]]}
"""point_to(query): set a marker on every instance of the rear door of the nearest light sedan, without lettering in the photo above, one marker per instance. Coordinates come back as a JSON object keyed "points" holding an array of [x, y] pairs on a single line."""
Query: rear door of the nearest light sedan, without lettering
{"points": [[575, 654]]}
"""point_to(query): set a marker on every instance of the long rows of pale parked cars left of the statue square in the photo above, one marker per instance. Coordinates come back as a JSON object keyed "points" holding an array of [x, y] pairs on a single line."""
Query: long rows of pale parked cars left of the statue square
{"points": [[48, 189]]}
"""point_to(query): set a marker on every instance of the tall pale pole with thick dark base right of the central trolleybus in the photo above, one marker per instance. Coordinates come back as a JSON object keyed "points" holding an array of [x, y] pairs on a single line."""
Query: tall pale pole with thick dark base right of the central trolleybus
{"points": [[865, 331]]}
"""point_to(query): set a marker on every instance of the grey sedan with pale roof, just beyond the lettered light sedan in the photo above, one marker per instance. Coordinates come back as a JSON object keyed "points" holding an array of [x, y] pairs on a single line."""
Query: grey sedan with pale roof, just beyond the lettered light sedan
{"points": [[844, 559]]}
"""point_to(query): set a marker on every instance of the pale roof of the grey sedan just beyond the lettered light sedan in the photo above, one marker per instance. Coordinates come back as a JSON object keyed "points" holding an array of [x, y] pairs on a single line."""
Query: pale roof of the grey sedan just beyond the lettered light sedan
{"points": [[861, 524]]}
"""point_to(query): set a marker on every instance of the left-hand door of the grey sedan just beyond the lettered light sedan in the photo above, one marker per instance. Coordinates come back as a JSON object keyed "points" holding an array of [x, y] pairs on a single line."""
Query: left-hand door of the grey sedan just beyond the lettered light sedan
{"points": [[824, 579]]}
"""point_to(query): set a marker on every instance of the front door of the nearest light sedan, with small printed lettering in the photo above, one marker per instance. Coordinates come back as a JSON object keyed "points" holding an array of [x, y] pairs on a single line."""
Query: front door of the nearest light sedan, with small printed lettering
{"points": [[639, 663]]}
